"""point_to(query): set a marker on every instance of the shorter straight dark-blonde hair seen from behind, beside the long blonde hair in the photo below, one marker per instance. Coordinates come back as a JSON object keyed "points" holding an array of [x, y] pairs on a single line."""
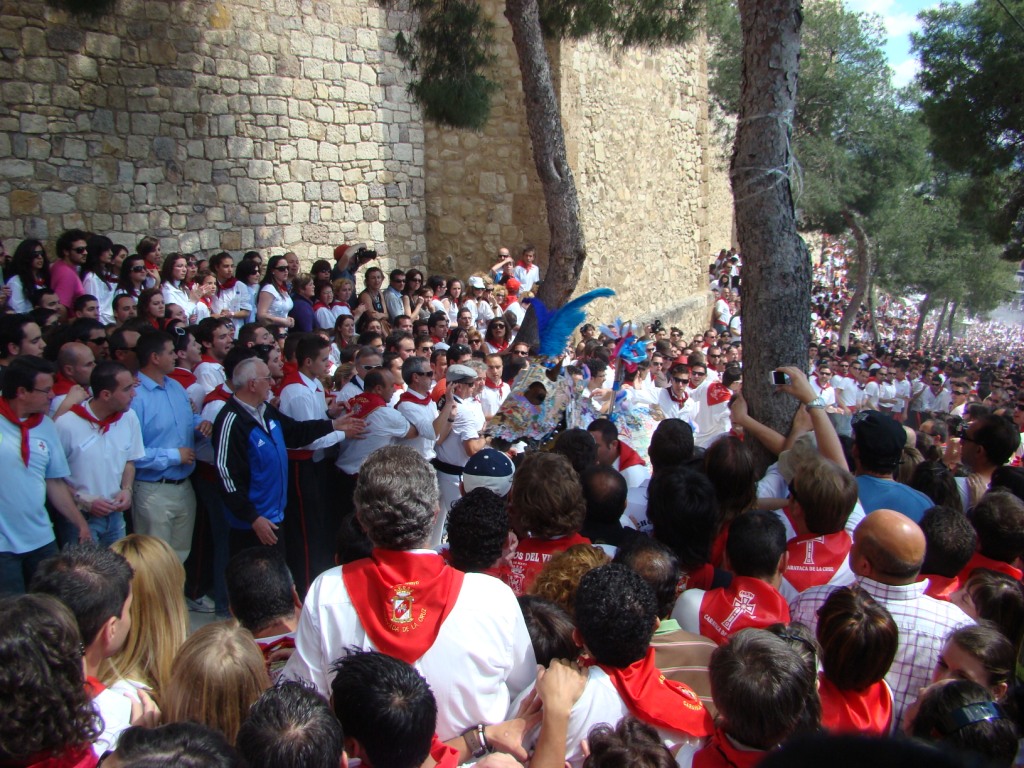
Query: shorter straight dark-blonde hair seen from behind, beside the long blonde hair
{"points": [[217, 677]]}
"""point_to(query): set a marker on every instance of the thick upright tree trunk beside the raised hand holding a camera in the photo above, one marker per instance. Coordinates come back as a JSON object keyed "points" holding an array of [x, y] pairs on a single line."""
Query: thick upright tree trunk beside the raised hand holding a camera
{"points": [[777, 274]]}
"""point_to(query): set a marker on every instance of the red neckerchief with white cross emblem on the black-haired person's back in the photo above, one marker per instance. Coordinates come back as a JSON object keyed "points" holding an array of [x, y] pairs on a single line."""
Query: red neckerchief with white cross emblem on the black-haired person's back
{"points": [[745, 604]]}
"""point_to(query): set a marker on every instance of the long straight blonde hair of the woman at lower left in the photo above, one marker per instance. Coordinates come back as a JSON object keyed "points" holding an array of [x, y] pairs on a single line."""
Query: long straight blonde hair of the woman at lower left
{"points": [[159, 616]]}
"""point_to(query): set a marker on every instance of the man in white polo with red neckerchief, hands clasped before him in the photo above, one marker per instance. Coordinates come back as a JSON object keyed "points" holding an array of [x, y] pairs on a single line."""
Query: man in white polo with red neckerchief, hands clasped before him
{"points": [[102, 439]]}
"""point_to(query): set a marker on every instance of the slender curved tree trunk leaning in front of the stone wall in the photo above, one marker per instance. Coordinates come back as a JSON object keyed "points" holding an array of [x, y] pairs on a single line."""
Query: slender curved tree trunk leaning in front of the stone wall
{"points": [[568, 250]]}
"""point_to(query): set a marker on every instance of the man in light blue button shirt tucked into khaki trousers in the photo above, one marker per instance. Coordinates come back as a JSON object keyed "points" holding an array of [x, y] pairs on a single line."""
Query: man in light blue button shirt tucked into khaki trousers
{"points": [[164, 502]]}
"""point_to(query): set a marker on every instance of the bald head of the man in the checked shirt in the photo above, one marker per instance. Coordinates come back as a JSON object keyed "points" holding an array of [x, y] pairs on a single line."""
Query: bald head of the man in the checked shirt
{"points": [[888, 547]]}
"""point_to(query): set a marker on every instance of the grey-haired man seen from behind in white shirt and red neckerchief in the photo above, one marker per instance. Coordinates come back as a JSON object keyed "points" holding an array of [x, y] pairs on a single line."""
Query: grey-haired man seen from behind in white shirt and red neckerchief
{"points": [[463, 632]]}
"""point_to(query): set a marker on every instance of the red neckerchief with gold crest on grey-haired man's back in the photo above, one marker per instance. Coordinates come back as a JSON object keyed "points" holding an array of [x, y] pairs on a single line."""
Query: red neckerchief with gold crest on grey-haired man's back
{"points": [[402, 600]]}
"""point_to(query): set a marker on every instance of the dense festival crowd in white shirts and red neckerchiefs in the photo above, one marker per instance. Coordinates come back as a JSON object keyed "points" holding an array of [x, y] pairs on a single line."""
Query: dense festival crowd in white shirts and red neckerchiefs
{"points": [[396, 586]]}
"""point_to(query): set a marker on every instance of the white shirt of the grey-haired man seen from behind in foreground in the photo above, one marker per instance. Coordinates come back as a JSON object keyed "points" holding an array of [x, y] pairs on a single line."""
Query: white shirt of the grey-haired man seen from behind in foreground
{"points": [[482, 660]]}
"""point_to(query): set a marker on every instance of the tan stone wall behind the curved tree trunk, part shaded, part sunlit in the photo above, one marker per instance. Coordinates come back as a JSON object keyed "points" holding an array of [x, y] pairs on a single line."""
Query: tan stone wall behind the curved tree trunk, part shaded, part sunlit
{"points": [[637, 135]]}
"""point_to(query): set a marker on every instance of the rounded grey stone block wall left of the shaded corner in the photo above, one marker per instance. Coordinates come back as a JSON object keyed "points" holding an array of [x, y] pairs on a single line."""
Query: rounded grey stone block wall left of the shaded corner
{"points": [[269, 124]]}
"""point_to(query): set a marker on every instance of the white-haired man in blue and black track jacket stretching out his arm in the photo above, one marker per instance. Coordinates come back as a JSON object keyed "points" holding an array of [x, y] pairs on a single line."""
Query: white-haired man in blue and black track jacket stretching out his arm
{"points": [[250, 440]]}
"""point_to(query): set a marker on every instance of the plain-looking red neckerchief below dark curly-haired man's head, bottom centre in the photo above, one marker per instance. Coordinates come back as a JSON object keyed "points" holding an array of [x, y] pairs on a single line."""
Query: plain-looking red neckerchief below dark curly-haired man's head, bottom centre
{"points": [[655, 700]]}
